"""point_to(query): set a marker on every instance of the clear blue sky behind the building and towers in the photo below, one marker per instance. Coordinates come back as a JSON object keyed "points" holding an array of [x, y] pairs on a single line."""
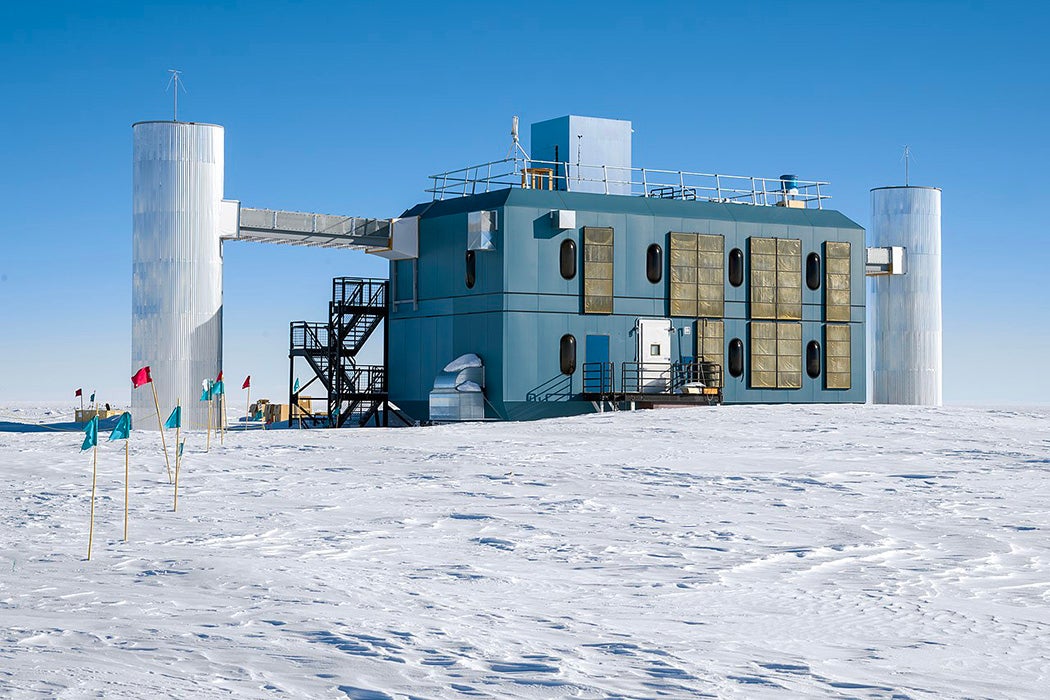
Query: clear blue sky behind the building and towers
{"points": [[347, 108]]}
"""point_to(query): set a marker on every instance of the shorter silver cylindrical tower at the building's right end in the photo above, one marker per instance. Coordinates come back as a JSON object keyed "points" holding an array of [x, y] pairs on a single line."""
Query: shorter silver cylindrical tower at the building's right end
{"points": [[907, 309]]}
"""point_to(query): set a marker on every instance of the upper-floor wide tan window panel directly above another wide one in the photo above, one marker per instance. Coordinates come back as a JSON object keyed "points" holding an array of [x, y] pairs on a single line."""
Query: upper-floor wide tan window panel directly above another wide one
{"points": [[776, 279]]}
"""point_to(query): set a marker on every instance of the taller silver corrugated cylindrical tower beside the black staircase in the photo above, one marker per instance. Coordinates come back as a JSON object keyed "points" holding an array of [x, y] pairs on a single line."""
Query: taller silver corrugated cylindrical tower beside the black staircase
{"points": [[177, 269]]}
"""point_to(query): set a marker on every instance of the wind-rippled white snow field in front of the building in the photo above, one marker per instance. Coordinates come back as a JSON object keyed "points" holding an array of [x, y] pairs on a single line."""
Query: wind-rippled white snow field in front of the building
{"points": [[738, 553]]}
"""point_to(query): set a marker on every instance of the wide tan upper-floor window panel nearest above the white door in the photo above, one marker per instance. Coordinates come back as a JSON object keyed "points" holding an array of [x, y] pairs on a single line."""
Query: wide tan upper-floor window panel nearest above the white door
{"points": [[698, 275]]}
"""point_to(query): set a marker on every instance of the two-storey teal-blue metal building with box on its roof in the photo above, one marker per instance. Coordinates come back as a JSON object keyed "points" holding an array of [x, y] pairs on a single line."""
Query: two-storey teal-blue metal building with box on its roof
{"points": [[698, 287]]}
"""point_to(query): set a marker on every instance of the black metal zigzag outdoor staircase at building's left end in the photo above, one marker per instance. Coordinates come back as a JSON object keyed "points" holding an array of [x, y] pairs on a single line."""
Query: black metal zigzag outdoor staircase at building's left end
{"points": [[356, 394]]}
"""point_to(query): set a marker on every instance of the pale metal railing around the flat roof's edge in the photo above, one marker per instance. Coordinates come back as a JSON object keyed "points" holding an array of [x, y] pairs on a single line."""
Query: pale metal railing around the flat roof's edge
{"points": [[528, 174]]}
